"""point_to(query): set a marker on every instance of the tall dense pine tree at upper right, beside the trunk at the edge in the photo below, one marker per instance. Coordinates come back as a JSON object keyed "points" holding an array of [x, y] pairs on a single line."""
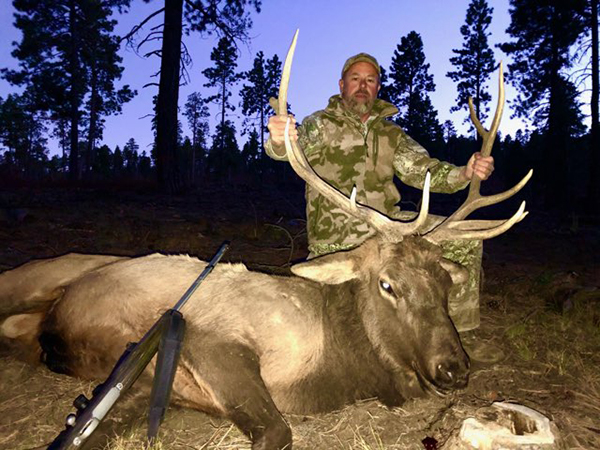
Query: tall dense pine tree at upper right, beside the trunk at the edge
{"points": [[543, 33]]}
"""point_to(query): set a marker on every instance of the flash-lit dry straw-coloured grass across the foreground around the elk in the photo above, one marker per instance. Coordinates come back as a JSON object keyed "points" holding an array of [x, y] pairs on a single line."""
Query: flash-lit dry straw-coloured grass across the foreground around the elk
{"points": [[552, 366]]}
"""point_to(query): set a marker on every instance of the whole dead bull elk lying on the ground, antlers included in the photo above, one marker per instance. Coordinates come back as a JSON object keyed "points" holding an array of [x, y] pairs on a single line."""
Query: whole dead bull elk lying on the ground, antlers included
{"points": [[369, 322]]}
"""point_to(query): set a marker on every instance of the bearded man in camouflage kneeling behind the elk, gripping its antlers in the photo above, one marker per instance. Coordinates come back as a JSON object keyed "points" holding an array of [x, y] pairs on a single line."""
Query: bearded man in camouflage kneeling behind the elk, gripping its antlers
{"points": [[351, 143]]}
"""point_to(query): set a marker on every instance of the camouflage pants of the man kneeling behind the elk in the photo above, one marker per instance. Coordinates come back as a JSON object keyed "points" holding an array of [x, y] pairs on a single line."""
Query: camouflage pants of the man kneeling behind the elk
{"points": [[463, 300]]}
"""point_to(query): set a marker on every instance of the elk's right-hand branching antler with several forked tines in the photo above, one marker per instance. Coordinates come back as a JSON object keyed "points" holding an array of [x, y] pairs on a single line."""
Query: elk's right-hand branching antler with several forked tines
{"points": [[455, 227]]}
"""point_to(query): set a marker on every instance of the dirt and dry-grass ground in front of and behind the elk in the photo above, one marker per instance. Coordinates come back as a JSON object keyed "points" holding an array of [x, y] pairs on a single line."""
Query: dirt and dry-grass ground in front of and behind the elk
{"points": [[540, 303]]}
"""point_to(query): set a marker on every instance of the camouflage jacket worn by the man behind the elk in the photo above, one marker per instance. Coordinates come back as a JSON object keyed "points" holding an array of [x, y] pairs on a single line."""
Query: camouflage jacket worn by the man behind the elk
{"points": [[347, 153]]}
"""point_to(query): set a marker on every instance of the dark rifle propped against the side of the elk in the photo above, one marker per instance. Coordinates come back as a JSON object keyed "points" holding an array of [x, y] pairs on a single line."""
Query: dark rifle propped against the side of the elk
{"points": [[165, 337]]}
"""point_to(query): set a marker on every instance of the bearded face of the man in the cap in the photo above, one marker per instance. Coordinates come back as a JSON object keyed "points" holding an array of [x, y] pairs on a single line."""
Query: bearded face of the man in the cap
{"points": [[359, 87]]}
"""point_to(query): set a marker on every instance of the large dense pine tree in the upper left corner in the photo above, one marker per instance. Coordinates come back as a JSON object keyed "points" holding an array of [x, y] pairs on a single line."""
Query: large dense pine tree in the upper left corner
{"points": [[56, 58]]}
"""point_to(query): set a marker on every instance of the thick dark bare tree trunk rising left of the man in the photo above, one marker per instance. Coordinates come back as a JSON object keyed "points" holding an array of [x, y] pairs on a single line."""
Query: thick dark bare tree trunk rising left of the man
{"points": [[167, 152]]}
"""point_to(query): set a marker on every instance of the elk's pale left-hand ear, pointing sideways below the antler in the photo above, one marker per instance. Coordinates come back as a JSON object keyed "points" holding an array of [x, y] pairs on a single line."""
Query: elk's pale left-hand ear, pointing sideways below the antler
{"points": [[334, 268]]}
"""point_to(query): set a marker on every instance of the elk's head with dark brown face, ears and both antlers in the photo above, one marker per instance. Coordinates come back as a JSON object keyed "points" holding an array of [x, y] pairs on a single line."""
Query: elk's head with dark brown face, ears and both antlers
{"points": [[403, 278]]}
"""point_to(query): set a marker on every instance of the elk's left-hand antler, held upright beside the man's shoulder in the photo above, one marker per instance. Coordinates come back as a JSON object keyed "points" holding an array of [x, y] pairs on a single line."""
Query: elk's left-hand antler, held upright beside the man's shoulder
{"points": [[390, 229]]}
